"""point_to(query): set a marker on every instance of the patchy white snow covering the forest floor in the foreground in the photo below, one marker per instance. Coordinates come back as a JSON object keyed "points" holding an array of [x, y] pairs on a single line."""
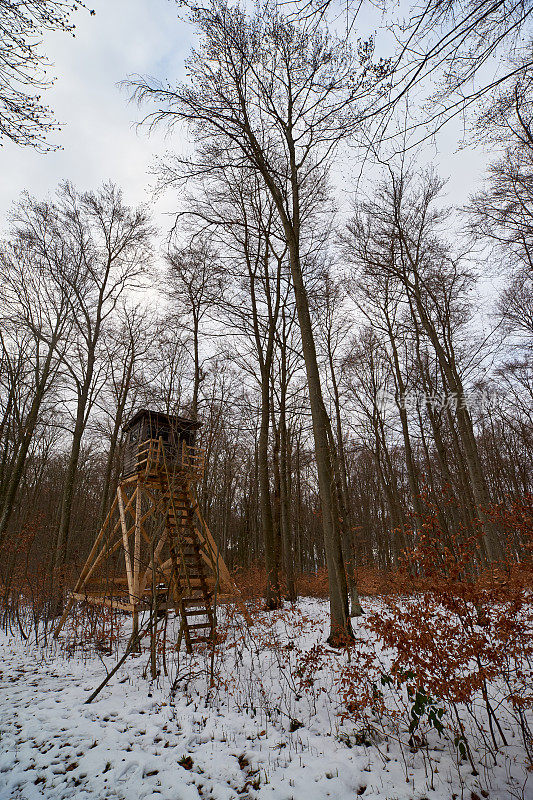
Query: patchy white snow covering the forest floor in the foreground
{"points": [[257, 736]]}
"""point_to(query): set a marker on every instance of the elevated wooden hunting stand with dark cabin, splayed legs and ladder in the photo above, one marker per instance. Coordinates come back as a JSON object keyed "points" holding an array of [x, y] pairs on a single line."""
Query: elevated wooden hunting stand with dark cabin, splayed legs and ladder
{"points": [[155, 551]]}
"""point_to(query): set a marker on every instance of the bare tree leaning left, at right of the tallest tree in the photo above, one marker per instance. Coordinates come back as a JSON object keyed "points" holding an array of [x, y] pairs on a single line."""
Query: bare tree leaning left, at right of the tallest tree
{"points": [[397, 234]]}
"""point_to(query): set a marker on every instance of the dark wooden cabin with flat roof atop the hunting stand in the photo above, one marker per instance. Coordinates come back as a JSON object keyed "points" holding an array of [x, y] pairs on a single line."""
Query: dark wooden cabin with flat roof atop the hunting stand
{"points": [[146, 426]]}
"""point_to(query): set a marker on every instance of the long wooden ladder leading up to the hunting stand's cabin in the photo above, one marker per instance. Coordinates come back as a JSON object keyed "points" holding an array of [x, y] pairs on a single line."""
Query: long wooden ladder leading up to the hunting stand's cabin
{"points": [[192, 598]]}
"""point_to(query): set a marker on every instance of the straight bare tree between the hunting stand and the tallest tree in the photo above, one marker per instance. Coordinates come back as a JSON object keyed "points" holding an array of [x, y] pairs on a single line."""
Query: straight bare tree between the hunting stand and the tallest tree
{"points": [[240, 217]]}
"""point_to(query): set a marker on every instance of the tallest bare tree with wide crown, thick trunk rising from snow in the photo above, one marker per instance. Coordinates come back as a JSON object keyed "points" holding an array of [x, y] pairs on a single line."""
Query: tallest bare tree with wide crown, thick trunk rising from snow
{"points": [[277, 98]]}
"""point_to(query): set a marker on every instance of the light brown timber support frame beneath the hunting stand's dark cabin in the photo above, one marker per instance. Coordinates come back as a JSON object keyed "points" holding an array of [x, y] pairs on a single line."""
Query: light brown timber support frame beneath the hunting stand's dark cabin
{"points": [[166, 491]]}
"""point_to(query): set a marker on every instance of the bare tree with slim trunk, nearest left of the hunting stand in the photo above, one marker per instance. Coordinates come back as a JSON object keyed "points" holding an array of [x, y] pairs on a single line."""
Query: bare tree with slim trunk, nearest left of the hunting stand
{"points": [[106, 245]]}
